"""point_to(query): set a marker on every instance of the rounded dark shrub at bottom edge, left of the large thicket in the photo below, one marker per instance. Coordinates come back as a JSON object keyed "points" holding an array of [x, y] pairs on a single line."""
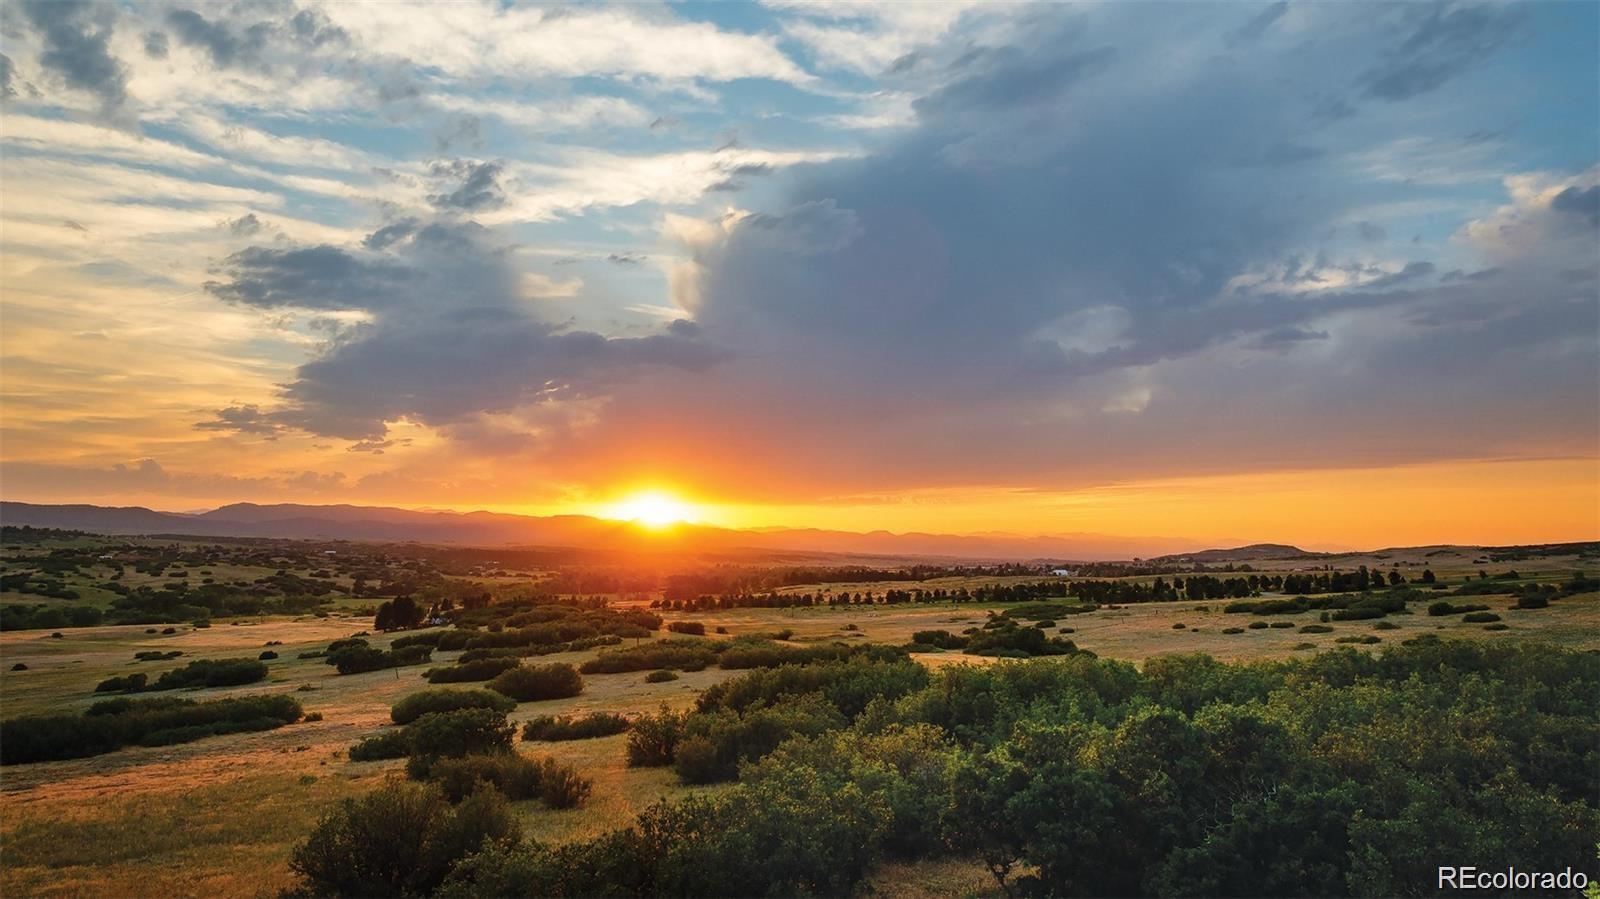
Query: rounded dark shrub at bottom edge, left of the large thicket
{"points": [[399, 841]]}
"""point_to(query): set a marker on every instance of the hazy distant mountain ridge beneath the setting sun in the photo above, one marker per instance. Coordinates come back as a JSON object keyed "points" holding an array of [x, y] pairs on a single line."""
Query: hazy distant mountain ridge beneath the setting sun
{"points": [[580, 532]]}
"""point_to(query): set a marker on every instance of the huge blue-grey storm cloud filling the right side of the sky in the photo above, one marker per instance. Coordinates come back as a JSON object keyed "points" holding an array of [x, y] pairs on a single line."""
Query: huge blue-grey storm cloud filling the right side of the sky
{"points": [[1078, 252]]}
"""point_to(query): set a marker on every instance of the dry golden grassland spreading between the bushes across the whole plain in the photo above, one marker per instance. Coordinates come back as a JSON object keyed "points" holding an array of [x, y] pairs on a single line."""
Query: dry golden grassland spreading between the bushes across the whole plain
{"points": [[220, 817]]}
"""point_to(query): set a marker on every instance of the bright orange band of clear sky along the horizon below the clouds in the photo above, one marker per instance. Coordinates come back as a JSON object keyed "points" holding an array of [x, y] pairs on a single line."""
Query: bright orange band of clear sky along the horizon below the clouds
{"points": [[1466, 503]]}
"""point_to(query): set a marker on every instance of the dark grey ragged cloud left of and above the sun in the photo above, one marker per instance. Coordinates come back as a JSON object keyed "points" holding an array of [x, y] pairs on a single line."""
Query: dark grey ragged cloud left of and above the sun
{"points": [[450, 335]]}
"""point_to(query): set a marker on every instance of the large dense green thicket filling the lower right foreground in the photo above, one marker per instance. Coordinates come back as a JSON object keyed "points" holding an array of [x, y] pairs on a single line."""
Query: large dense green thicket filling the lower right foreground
{"points": [[1340, 773]]}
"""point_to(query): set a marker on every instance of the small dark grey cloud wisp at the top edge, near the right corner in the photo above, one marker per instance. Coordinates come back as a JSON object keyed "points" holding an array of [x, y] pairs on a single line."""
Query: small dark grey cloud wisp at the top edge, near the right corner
{"points": [[1442, 44]]}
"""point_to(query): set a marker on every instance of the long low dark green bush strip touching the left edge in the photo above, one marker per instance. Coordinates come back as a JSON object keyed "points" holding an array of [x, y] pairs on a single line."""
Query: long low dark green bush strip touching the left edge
{"points": [[114, 724]]}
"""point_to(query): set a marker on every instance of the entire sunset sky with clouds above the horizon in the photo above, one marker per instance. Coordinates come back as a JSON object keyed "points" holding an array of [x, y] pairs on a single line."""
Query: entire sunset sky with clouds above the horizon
{"points": [[1310, 273]]}
